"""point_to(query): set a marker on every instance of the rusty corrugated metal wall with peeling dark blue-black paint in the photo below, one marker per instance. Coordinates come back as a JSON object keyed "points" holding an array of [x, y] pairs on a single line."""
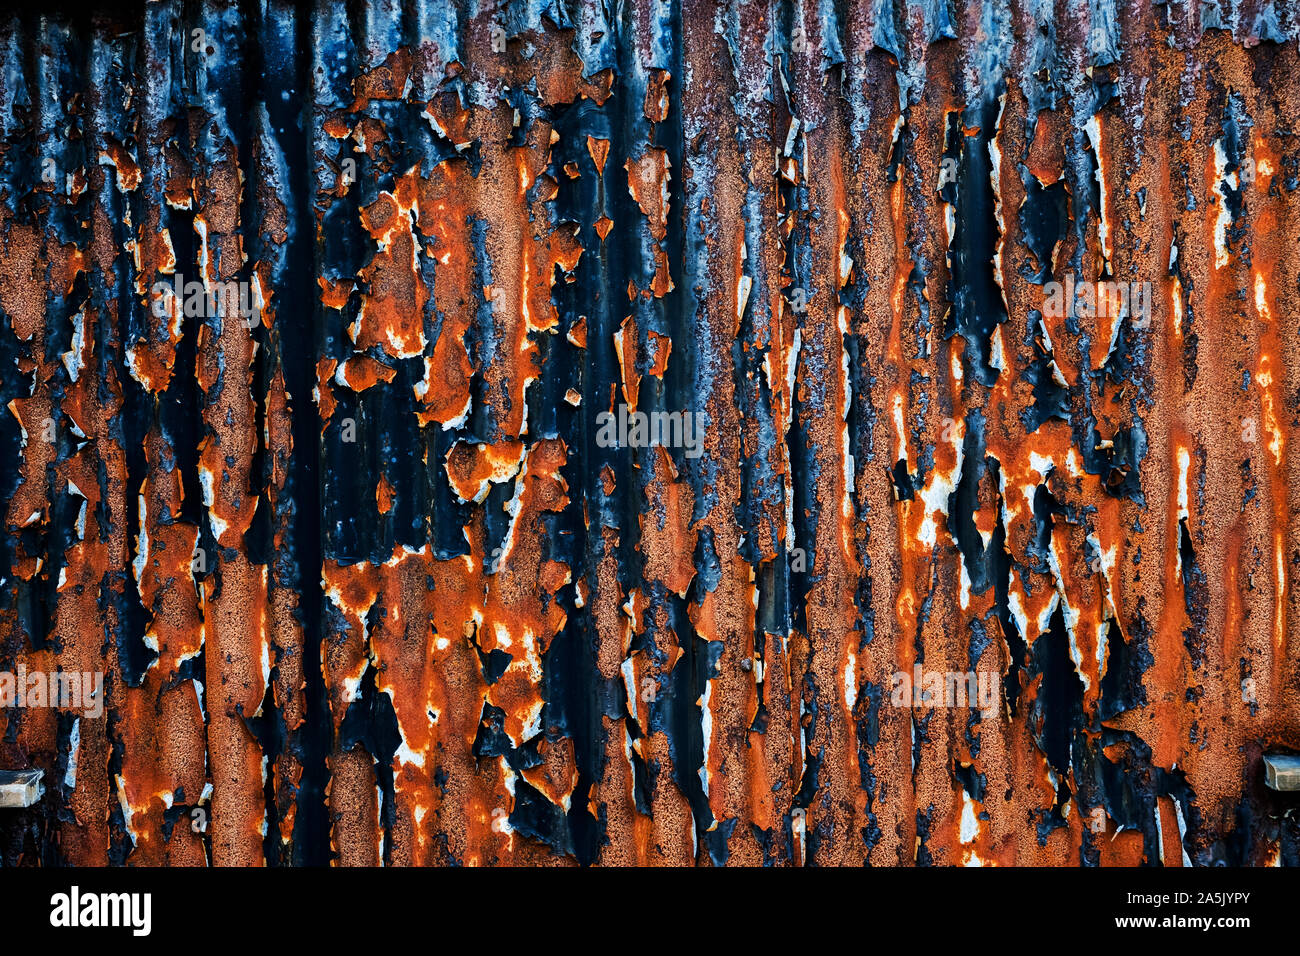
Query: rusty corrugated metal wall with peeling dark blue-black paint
{"points": [[366, 582]]}
